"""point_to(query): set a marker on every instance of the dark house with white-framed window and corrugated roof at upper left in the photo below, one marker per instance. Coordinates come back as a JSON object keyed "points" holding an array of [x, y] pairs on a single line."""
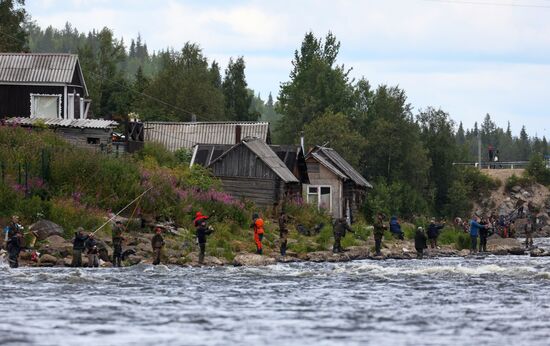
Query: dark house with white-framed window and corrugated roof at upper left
{"points": [[48, 86]]}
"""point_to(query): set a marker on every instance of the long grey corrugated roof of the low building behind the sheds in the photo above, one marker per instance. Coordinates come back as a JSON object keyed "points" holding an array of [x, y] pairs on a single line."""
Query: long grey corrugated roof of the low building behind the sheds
{"points": [[176, 135]]}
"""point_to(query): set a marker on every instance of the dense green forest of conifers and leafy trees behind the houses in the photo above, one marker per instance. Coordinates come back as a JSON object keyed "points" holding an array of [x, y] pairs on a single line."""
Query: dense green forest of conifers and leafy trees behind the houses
{"points": [[407, 154]]}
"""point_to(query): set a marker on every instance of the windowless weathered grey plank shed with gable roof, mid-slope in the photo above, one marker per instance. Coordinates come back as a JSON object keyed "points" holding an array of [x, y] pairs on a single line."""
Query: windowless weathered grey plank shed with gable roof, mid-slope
{"points": [[253, 171]]}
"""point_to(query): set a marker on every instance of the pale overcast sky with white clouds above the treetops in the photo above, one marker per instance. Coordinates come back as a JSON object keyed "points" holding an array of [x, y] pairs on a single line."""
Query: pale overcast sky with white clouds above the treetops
{"points": [[467, 57]]}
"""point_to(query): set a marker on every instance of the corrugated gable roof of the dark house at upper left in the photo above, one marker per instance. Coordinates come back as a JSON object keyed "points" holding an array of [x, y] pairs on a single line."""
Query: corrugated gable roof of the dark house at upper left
{"points": [[37, 68]]}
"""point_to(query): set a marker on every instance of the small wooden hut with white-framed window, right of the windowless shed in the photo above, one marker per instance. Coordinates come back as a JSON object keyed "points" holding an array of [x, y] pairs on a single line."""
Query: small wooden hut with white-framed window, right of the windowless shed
{"points": [[334, 184]]}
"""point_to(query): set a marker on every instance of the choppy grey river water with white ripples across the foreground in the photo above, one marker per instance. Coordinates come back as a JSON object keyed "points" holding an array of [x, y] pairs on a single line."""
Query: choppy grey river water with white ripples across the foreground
{"points": [[450, 301]]}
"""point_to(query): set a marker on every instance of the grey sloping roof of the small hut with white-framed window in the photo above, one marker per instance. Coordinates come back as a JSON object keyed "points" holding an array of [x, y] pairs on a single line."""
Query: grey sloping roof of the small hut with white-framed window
{"points": [[329, 158]]}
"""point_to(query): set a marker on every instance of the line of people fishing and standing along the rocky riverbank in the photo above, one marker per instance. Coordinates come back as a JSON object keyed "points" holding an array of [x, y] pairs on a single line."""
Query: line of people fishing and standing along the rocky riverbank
{"points": [[479, 229]]}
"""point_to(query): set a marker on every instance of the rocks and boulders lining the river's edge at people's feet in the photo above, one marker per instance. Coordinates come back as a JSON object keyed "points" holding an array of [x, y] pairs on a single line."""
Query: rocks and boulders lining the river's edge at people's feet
{"points": [[57, 251]]}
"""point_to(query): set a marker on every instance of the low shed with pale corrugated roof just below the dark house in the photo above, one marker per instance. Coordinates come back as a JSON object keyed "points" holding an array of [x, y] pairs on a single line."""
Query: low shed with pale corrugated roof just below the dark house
{"points": [[84, 133]]}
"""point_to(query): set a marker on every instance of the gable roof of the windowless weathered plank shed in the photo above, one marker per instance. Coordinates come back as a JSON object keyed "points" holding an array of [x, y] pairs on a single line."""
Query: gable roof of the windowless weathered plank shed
{"points": [[267, 155]]}
